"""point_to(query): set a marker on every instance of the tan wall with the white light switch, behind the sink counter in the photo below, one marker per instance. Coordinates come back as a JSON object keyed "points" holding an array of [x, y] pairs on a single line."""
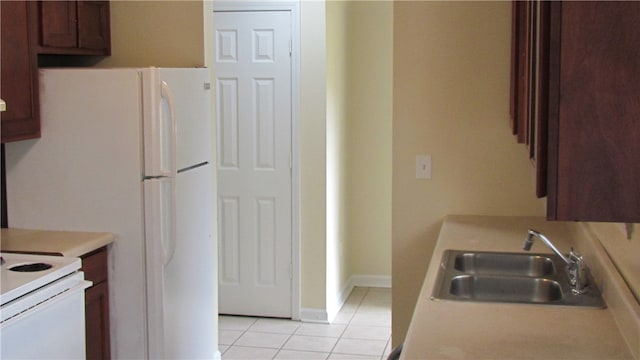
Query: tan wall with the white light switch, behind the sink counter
{"points": [[450, 91]]}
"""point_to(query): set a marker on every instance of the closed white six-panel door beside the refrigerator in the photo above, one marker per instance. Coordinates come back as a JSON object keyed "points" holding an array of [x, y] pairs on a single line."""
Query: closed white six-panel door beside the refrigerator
{"points": [[253, 104]]}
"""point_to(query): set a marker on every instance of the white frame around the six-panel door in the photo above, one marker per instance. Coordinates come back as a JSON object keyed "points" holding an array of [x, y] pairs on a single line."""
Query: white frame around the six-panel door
{"points": [[293, 8]]}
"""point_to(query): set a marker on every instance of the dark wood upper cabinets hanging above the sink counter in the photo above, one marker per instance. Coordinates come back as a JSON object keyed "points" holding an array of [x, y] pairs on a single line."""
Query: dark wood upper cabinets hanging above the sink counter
{"points": [[575, 101]]}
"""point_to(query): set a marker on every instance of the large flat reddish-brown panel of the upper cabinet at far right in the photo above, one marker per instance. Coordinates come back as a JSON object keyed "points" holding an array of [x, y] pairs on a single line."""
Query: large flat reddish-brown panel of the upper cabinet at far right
{"points": [[594, 112]]}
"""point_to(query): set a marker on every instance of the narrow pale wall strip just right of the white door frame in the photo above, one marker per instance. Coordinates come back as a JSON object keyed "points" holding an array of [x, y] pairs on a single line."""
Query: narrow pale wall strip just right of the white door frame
{"points": [[313, 182]]}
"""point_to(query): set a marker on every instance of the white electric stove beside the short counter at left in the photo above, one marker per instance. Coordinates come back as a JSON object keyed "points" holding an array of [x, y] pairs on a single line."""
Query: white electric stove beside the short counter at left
{"points": [[41, 307]]}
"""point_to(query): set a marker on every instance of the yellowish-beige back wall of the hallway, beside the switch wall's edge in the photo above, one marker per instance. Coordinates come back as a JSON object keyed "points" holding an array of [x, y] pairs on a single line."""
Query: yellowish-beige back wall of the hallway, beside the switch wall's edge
{"points": [[370, 34]]}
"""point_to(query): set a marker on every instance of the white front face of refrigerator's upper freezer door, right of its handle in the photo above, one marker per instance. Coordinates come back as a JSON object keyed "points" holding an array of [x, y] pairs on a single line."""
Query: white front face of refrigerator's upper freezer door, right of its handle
{"points": [[190, 89]]}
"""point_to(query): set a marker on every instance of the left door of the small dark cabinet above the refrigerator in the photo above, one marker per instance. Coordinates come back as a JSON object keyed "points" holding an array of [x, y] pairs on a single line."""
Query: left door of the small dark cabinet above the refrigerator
{"points": [[58, 24]]}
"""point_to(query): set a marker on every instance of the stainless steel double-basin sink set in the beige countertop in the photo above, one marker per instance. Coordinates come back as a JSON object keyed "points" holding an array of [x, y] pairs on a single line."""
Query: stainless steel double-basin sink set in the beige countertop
{"points": [[511, 278]]}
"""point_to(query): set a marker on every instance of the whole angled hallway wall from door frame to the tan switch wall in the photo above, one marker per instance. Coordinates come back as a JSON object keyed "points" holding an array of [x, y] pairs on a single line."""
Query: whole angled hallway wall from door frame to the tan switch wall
{"points": [[353, 236]]}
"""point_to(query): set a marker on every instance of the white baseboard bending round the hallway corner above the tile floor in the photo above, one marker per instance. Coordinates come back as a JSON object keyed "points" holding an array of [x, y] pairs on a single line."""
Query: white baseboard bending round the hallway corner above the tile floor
{"points": [[326, 316]]}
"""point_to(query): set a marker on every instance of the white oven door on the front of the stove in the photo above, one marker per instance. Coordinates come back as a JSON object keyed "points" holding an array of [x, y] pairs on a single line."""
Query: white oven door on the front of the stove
{"points": [[47, 323]]}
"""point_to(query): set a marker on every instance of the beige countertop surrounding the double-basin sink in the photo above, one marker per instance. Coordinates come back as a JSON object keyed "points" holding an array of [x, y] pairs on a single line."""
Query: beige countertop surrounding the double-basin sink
{"points": [[472, 330]]}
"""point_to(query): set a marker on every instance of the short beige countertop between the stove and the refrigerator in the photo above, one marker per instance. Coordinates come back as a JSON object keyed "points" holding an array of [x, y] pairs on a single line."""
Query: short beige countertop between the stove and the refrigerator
{"points": [[66, 243]]}
